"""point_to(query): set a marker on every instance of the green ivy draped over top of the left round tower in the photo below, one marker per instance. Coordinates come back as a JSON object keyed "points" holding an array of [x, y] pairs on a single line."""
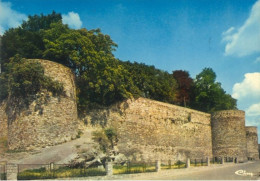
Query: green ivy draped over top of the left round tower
{"points": [[24, 78]]}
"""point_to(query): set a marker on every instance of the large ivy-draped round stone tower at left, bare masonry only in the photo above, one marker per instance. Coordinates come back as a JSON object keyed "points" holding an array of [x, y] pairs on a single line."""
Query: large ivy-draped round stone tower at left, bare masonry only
{"points": [[50, 119]]}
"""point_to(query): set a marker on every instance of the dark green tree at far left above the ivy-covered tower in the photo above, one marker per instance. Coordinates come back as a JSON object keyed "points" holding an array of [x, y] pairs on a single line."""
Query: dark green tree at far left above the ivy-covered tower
{"points": [[27, 40]]}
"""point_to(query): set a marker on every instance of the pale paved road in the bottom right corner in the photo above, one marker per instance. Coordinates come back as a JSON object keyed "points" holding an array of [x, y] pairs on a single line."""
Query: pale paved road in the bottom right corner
{"points": [[248, 171]]}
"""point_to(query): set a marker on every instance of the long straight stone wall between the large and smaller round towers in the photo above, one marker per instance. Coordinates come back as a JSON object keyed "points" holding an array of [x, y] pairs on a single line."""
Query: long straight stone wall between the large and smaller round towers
{"points": [[152, 130]]}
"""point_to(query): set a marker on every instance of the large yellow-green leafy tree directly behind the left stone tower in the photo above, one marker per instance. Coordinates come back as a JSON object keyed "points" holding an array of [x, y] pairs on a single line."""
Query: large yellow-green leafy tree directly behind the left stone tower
{"points": [[101, 80]]}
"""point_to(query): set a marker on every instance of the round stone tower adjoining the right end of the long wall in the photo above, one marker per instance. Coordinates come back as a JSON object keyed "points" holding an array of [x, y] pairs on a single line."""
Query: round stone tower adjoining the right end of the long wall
{"points": [[229, 134]]}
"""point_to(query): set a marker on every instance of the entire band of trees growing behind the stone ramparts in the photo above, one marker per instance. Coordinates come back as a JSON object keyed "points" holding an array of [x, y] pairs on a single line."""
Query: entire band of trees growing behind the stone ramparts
{"points": [[101, 78]]}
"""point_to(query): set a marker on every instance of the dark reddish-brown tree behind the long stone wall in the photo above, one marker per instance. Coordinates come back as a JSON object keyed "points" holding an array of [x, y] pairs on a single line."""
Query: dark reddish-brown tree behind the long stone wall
{"points": [[184, 83]]}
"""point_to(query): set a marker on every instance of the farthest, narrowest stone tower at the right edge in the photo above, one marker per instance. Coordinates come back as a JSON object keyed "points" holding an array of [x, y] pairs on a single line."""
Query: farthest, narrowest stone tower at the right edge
{"points": [[252, 142]]}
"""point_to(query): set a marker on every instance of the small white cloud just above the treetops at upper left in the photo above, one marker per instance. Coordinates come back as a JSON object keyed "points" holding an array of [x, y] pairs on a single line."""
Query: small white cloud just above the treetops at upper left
{"points": [[72, 19]]}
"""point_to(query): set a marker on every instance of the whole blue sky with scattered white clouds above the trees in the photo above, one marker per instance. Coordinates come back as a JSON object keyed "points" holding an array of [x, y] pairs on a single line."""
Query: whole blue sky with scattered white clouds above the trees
{"points": [[170, 34]]}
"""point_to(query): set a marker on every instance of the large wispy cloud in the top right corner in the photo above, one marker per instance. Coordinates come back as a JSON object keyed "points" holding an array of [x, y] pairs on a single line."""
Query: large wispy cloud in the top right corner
{"points": [[246, 40]]}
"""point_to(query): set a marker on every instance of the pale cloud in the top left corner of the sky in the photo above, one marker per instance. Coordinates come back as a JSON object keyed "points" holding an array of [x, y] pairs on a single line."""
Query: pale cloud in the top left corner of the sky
{"points": [[9, 18]]}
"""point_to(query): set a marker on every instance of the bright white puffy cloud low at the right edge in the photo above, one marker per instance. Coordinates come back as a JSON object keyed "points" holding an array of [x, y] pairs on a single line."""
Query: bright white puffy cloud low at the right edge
{"points": [[249, 87]]}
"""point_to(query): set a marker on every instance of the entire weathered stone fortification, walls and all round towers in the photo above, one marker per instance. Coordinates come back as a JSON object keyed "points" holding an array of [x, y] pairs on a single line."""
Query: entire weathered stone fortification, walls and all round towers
{"points": [[147, 130]]}
